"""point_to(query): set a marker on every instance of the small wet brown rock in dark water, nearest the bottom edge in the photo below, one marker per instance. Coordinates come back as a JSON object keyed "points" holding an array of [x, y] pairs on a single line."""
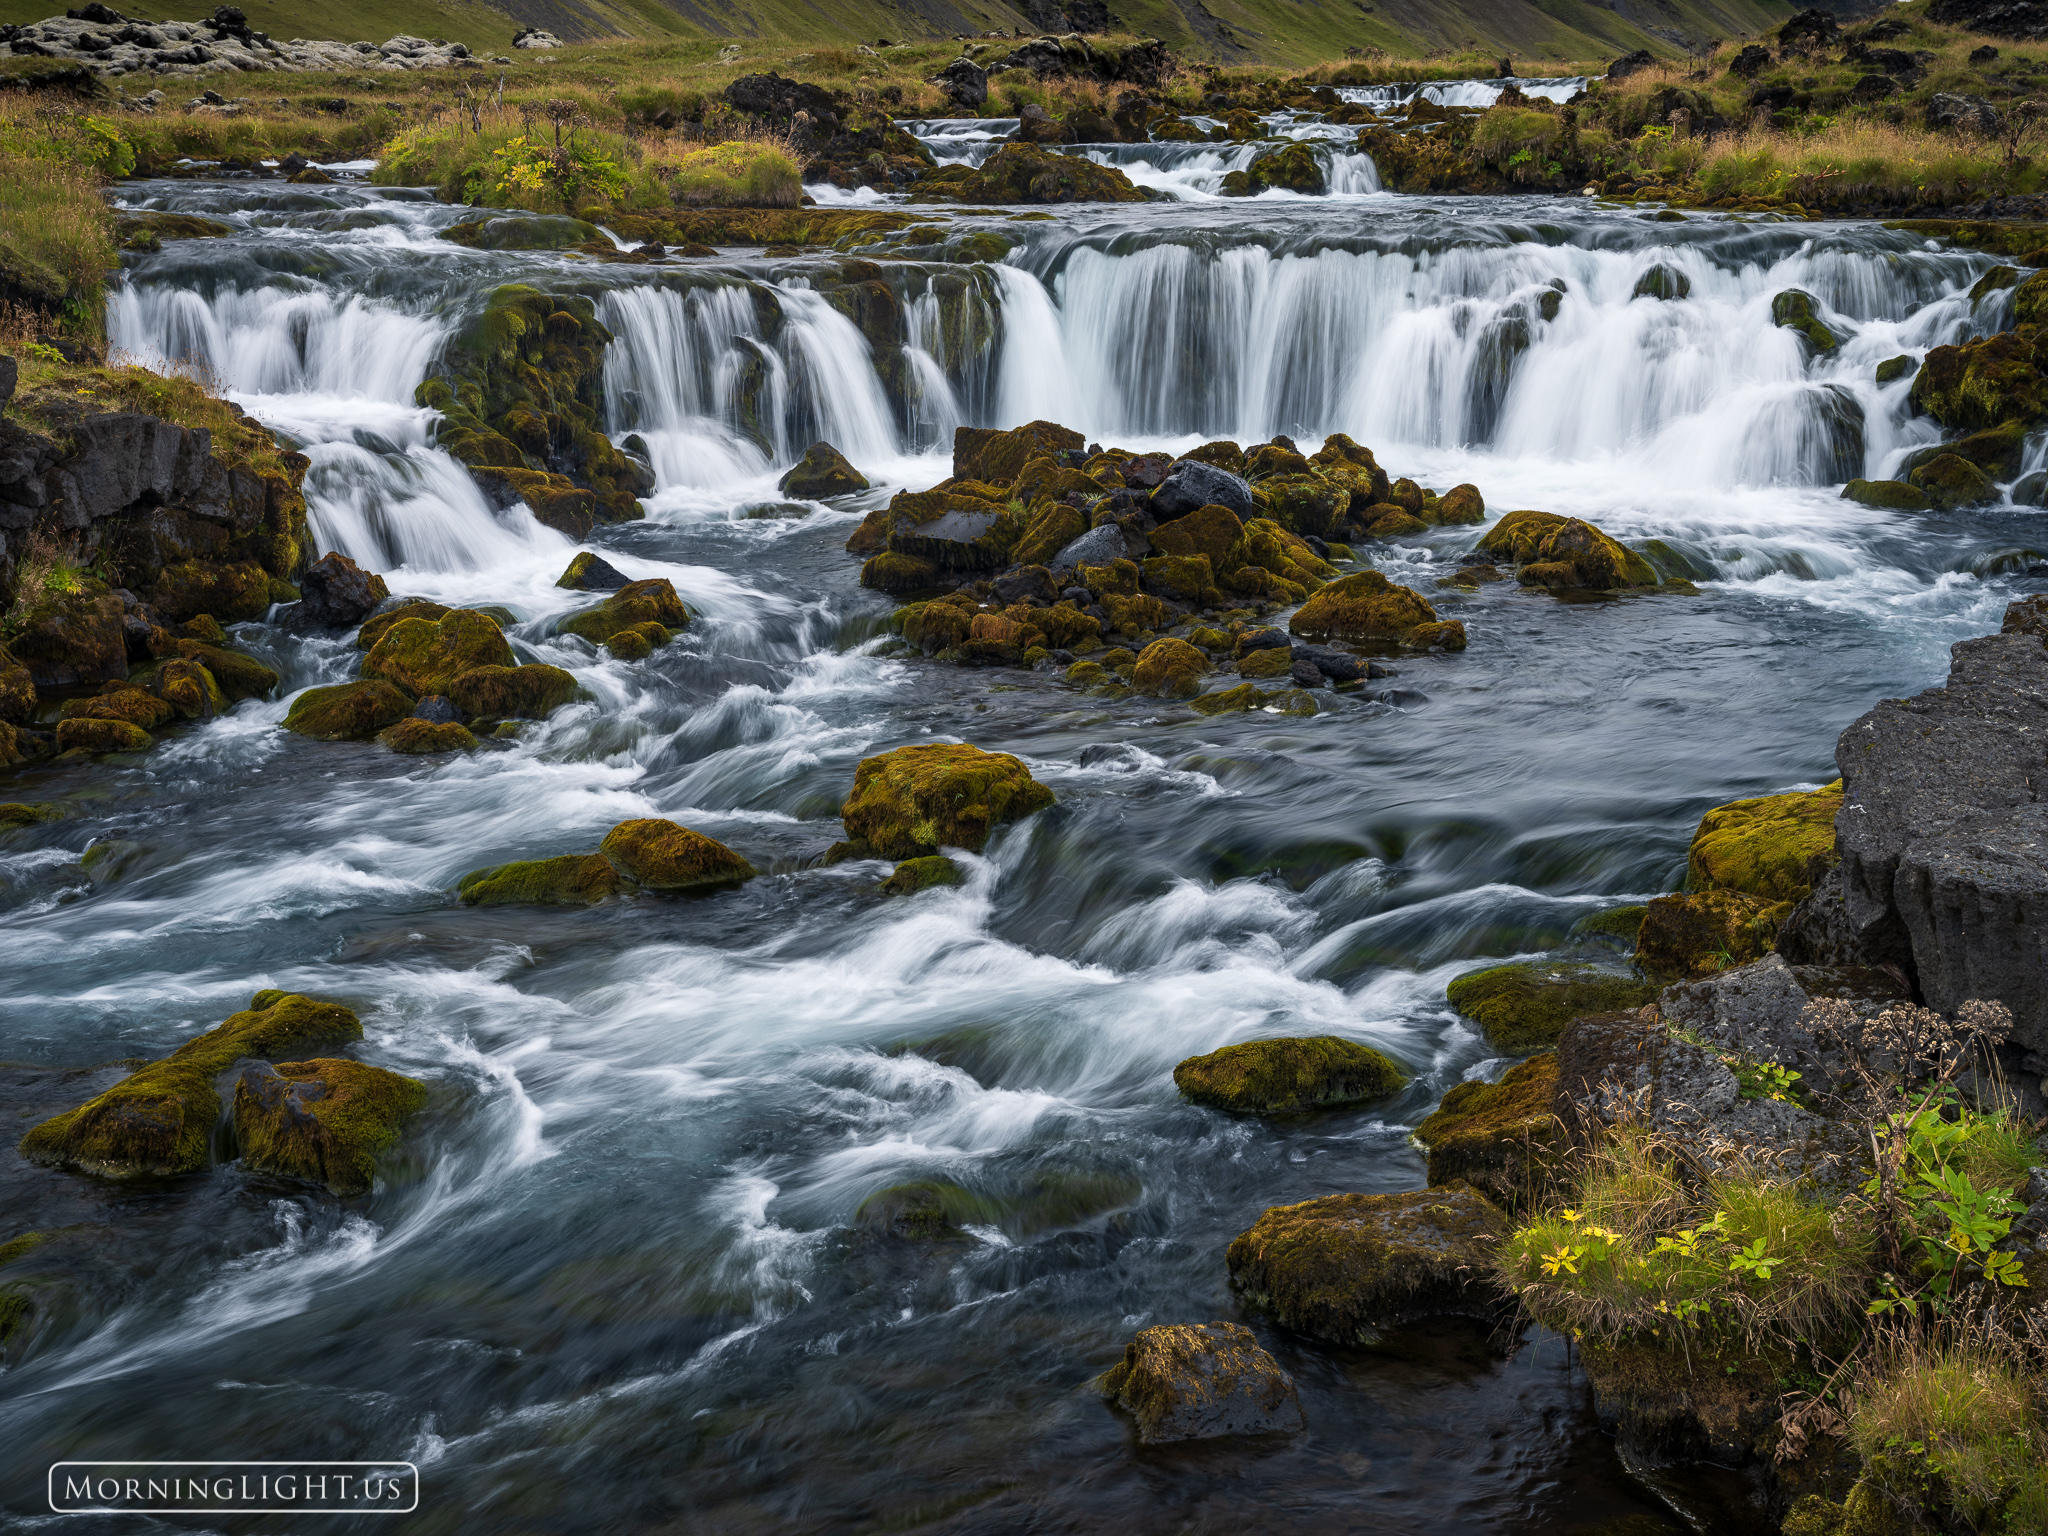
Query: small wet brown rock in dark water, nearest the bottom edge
{"points": [[1187, 1381]]}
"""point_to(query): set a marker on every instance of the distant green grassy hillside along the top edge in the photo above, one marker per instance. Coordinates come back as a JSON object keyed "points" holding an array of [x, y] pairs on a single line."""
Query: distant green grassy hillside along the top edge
{"points": [[1242, 32]]}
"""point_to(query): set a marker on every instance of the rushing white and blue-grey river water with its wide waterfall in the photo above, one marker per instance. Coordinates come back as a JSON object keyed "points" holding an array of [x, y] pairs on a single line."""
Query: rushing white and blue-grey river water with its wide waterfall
{"points": [[613, 1283]]}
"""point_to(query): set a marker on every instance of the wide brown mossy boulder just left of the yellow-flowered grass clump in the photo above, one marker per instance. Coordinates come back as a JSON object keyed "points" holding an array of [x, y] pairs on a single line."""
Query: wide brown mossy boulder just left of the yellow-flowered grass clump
{"points": [[1349, 1267]]}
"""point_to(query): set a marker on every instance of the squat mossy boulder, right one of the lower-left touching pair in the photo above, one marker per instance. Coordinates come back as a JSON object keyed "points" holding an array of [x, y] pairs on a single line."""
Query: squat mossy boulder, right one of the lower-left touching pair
{"points": [[323, 1121]]}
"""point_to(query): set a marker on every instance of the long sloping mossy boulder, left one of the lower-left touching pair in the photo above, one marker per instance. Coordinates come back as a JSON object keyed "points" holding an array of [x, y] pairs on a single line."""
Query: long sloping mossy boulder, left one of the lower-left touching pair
{"points": [[161, 1119]]}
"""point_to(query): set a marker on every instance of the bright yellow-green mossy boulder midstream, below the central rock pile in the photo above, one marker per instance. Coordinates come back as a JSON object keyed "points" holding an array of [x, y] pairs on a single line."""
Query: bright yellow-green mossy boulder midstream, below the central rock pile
{"points": [[919, 800]]}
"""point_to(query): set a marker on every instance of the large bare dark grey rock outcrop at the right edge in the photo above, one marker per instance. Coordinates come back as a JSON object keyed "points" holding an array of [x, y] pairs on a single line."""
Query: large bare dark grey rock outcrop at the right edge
{"points": [[1945, 835]]}
